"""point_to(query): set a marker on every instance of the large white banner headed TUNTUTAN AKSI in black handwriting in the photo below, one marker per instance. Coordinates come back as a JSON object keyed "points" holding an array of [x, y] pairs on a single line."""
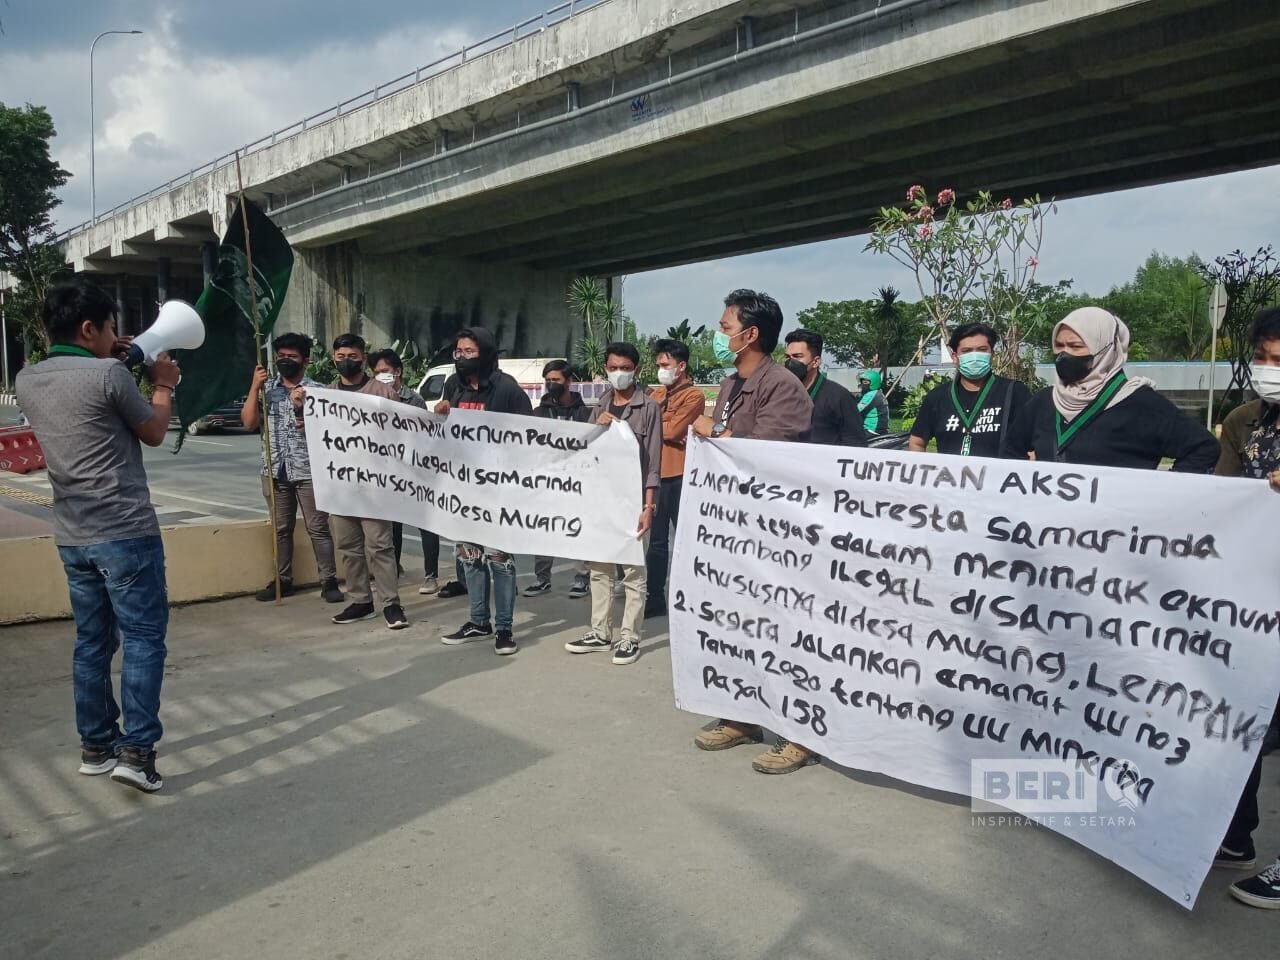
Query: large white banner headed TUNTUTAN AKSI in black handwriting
{"points": [[1095, 648]]}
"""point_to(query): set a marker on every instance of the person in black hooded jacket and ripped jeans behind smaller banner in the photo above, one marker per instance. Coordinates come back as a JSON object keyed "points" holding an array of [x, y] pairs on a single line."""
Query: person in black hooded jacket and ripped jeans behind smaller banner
{"points": [[478, 385]]}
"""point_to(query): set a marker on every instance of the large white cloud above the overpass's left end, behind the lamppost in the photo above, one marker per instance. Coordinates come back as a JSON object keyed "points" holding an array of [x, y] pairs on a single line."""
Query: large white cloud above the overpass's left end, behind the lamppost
{"points": [[163, 109]]}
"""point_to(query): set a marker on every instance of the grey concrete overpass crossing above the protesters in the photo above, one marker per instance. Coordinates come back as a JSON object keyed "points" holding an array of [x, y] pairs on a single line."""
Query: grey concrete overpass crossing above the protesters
{"points": [[644, 134]]}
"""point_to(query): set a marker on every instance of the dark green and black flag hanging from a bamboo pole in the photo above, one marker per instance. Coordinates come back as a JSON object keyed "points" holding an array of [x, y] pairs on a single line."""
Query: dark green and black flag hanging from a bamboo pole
{"points": [[220, 372]]}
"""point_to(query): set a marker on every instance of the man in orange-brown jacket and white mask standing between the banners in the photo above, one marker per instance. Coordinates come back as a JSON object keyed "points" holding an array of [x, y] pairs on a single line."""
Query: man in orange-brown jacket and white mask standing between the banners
{"points": [[682, 404]]}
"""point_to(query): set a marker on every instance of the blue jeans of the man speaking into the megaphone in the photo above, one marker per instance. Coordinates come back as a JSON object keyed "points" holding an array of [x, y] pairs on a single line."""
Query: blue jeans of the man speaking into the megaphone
{"points": [[118, 592]]}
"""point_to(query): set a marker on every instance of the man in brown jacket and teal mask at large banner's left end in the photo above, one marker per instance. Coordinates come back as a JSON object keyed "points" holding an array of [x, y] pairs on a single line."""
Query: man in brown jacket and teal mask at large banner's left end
{"points": [[764, 401]]}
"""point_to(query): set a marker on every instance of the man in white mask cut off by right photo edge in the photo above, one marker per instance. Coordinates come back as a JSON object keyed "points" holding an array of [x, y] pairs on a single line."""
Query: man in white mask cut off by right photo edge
{"points": [[1251, 449]]}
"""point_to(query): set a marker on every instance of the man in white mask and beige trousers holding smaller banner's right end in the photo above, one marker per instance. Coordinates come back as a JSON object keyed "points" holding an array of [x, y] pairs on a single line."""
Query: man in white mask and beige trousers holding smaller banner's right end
{"points": [[627, 403]]}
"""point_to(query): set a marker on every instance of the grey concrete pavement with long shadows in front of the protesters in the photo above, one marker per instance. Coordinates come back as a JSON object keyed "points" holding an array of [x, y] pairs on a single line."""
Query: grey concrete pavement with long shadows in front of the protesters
{"points": [[354, 793]]}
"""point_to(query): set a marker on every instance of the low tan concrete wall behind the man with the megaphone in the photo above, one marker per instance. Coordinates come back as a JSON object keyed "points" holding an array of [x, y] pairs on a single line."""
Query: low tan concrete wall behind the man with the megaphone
{"points": [[203, 563]]}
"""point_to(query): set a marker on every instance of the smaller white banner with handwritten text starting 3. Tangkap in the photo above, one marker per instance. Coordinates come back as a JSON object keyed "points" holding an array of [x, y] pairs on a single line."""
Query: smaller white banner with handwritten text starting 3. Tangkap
{"points": [[515, 483]]}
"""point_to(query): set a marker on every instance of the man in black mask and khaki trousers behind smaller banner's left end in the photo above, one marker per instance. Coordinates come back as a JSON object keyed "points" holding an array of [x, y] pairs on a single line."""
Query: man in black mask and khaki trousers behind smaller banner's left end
{"points": [[367, 546]]}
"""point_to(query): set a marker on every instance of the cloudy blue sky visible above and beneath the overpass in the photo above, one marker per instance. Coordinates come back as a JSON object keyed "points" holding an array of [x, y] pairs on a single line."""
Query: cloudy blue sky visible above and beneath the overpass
{"points": [[208, 77]]}
